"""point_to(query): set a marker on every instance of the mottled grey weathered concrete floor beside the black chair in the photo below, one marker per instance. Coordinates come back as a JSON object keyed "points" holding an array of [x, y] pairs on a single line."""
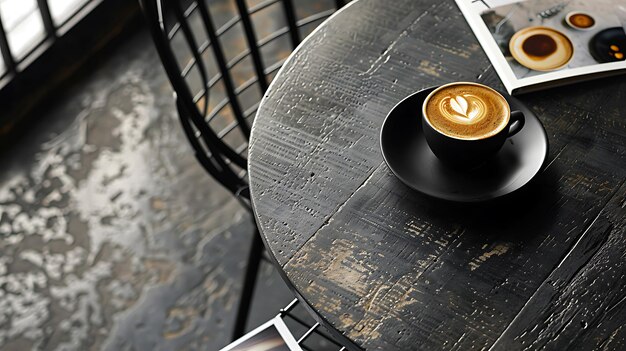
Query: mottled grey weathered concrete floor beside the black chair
{"points": [[111, 235]]}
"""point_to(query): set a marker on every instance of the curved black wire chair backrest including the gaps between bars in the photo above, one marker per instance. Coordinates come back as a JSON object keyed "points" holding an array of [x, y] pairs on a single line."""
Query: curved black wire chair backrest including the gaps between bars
{"points": [[220, 56]]}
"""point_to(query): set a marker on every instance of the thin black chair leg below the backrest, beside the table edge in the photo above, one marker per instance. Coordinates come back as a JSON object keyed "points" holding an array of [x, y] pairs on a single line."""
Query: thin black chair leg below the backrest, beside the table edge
{"points": [[252, 270]]}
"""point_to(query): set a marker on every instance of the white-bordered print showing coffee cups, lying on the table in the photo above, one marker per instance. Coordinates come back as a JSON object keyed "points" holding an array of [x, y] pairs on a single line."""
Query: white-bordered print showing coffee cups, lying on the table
{"points": [[538, 44]]}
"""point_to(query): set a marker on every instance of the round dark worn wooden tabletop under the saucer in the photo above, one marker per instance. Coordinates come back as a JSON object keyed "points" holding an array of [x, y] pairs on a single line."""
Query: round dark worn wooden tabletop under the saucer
{"points": [[391, 269]]}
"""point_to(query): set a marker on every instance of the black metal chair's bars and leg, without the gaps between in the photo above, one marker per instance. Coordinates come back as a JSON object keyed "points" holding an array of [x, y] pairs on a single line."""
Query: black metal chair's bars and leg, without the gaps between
{"points": [[221, 160]]}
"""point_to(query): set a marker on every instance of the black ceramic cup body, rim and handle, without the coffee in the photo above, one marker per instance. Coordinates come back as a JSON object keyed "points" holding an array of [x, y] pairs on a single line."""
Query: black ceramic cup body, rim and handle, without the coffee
{"points": [[468, 153]]}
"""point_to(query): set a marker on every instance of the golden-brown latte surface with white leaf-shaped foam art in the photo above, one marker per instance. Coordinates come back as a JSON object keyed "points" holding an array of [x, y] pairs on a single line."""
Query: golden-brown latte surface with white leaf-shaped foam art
{"points": [[467, 111]]}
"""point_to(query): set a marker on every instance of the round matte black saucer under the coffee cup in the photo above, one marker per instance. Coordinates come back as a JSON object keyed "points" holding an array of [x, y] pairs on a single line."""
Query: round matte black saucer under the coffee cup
{"points": [[408, 156]]}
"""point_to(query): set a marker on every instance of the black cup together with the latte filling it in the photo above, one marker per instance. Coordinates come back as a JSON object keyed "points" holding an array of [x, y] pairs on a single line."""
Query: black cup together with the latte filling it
{"points": [[466, 123]]}
